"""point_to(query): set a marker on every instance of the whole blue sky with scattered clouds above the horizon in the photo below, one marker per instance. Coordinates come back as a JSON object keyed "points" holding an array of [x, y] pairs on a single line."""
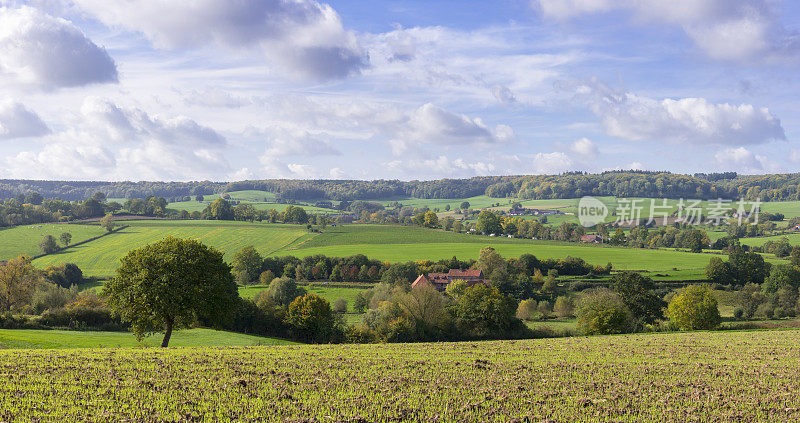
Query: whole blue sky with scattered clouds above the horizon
{"points": [[410, 90]]}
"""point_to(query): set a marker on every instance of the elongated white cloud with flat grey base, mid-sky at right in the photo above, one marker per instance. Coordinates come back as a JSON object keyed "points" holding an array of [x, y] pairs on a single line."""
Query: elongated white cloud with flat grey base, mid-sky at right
{"points": [[692, 120]]}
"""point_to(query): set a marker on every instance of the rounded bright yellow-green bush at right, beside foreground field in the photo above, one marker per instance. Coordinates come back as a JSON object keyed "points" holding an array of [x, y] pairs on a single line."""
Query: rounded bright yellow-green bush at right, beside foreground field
{"points": [[693, 309]]}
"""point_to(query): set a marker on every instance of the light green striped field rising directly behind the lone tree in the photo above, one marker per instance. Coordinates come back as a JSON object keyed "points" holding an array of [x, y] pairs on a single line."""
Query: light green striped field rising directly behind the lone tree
{"points": [[101, 257]]}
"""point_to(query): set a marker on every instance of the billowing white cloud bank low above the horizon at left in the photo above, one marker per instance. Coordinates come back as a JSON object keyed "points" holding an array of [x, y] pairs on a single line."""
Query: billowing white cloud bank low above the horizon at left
{"points": [[112, 142]]}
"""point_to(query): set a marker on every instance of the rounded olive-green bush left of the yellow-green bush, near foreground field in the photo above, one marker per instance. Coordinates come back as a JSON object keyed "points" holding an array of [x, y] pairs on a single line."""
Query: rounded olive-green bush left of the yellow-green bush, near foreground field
{"points": [[602, 311]]}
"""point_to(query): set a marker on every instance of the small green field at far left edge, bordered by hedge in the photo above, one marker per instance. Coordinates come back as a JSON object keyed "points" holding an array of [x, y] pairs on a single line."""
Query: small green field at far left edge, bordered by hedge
{"points": [[25, 239]]}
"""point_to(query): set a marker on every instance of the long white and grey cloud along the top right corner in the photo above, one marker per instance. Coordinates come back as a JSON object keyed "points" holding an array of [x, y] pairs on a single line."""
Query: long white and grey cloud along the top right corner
{"points": [[724, 29]]}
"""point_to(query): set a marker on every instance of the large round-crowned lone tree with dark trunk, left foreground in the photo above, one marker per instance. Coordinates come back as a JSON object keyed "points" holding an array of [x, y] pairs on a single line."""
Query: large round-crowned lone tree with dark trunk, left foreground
{"points": [[168, 284]]}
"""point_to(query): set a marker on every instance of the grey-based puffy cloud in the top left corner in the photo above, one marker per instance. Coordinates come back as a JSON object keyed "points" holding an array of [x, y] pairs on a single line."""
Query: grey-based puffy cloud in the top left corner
{"points": [[41, 51]]}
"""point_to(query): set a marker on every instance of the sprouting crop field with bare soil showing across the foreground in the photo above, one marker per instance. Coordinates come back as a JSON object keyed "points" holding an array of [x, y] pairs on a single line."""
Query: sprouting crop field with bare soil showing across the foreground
{"points": [[679, 377]]}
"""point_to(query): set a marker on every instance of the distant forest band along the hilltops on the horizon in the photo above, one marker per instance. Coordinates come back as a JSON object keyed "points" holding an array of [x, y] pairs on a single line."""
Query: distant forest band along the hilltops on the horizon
{"points": [[728, 185]]}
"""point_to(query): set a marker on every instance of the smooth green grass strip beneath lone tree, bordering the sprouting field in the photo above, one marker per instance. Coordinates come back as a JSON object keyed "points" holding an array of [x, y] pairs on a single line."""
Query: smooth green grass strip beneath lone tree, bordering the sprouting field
{"points": [[28, 339]]}
